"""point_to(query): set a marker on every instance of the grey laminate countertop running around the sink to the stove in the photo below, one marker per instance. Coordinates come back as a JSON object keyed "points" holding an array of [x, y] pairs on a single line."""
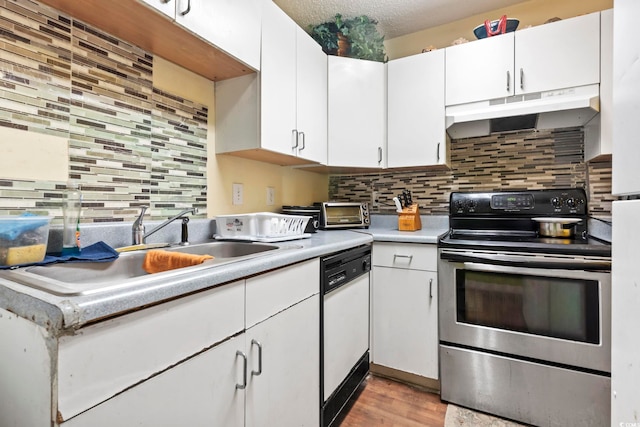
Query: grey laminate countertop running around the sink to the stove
{"points": [[62, 312]]}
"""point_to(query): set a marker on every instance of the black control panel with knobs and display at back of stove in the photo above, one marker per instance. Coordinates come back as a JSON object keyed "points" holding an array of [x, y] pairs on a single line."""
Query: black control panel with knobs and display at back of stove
{"points": [[520, 203]]}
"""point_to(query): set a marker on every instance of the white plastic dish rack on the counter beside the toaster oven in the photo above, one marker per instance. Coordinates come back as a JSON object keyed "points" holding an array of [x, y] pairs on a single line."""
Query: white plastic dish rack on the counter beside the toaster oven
{"points": [[261, 227]]}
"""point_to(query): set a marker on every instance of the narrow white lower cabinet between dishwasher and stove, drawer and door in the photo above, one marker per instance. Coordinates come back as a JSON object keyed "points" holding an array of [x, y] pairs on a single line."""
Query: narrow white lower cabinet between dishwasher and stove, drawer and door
{"points": [[405, 308]]}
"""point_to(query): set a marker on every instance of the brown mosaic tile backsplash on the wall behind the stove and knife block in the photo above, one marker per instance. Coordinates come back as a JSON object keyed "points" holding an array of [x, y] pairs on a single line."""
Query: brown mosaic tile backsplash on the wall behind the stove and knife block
{"points": [[512, 161]]}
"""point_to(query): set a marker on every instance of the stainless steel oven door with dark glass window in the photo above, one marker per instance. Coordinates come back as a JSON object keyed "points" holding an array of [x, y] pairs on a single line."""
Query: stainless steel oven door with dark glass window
{"points": [[544, 308]]}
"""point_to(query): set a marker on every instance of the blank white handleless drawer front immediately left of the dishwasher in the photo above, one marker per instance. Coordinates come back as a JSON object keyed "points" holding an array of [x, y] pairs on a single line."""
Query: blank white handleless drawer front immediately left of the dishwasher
{"points": [[273, 292]]}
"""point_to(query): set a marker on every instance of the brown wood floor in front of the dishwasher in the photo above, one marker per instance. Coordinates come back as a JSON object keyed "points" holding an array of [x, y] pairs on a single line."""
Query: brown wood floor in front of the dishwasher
{"points": [[384, 402]]}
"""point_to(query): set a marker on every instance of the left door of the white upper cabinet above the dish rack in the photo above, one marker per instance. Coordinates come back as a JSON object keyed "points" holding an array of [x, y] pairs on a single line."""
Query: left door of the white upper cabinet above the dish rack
{"points": [[278, 81]]}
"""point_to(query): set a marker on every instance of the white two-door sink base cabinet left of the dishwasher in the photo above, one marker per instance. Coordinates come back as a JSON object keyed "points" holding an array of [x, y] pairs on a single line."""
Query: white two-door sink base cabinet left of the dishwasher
{"points": [[191, 361]]}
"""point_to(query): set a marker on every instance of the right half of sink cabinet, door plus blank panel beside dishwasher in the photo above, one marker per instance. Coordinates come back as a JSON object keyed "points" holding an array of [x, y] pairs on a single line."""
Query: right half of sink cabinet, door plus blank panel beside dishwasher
{"points": [[284, 348]]}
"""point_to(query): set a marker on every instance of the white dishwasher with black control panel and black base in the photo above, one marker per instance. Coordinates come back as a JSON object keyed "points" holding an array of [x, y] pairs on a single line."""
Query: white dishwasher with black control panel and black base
{"points": [[344, 334]]}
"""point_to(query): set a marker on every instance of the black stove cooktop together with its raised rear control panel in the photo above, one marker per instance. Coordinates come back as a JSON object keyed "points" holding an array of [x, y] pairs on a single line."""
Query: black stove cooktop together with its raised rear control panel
{"points": [[504, 221]]}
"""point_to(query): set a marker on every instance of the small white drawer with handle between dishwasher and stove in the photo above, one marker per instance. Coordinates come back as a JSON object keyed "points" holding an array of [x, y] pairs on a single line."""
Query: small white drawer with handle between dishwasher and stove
{"points": [[405, 255]]}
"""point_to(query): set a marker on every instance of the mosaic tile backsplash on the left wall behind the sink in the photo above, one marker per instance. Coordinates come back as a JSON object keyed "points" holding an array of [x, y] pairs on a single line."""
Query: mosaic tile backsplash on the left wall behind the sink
{"points": [[130, 144]]}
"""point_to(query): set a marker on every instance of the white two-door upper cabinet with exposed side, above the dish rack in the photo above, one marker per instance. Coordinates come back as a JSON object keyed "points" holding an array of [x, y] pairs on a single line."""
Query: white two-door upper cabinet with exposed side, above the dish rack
{"points": [[279, 116]]}
